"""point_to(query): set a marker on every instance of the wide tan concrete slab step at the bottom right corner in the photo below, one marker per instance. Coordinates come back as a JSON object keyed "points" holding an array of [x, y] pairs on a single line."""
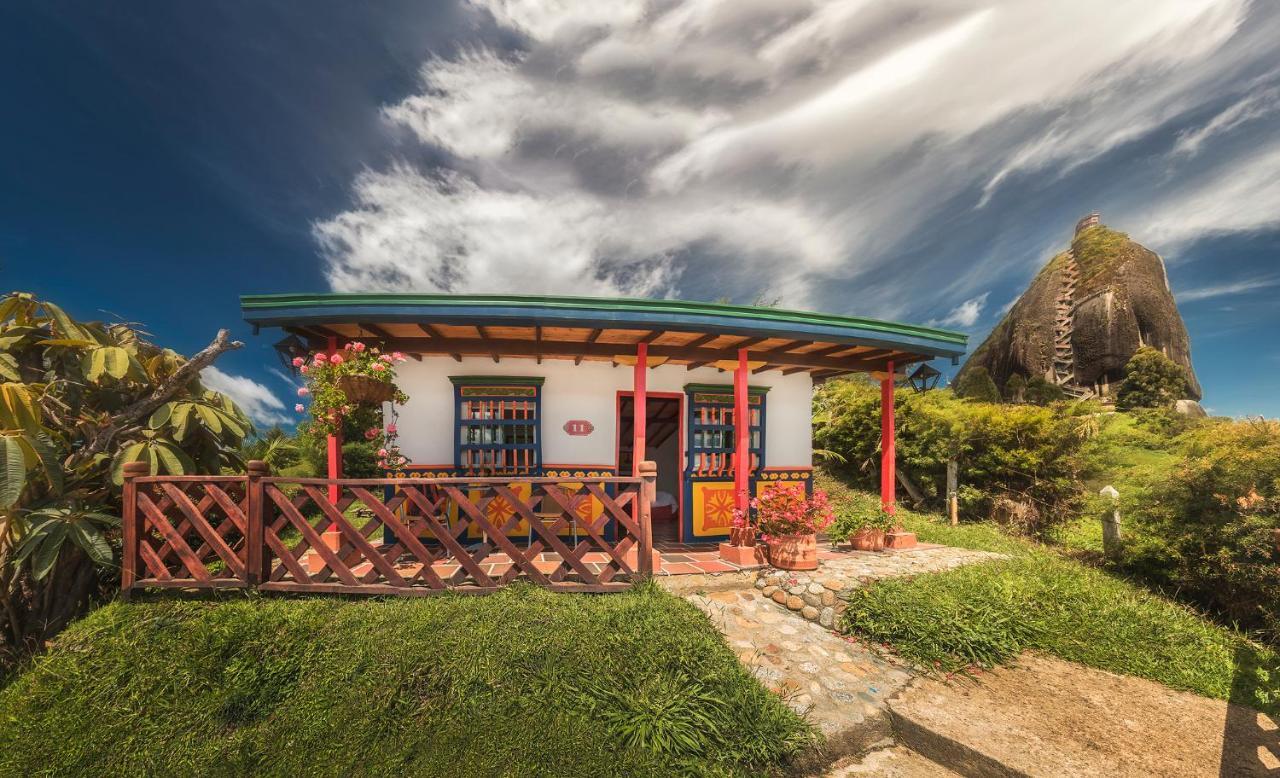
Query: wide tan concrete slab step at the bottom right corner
{"points": [[1048, 717]]}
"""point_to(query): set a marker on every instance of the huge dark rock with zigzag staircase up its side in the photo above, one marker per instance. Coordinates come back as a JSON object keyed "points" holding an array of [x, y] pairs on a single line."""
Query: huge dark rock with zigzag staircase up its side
{"points": [[1087, 312]]}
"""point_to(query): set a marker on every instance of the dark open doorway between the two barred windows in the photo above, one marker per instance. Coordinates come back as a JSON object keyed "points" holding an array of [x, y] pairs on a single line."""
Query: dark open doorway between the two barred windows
{"points": [[662, 446]]}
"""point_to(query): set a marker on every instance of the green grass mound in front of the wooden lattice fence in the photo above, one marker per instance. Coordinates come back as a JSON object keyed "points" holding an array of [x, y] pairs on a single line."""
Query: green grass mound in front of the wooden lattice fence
{"points": [[524, 683]]}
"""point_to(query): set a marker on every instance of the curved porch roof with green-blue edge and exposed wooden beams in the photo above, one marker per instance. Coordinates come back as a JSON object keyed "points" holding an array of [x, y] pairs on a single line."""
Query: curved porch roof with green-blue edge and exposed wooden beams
{"points": [[609, 331]]}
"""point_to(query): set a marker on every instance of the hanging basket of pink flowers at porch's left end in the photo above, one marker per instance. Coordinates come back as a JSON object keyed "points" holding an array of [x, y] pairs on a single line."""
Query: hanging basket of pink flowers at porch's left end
{"points": [[332, 410]]}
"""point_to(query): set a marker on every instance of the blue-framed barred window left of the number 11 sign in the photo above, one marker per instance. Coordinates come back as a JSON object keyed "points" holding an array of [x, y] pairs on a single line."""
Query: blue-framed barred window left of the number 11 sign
{"points": [[497, 424]]}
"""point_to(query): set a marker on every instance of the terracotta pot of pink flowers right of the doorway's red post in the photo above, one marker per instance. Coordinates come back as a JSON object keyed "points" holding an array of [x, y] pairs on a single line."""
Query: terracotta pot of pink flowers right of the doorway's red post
{"points": [[789, 523]]}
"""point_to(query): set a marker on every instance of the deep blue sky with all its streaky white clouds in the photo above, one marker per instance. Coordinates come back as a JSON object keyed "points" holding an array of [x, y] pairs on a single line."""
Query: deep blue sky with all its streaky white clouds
{"points": [[916, 161]]}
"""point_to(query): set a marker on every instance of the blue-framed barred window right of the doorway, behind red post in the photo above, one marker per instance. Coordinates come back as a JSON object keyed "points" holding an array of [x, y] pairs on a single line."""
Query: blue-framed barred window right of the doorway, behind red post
{"points": [[711, 431]]}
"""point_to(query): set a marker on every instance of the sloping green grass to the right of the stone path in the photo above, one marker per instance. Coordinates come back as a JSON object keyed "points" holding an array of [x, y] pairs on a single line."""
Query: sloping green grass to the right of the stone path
{"points": [[986, 615]]}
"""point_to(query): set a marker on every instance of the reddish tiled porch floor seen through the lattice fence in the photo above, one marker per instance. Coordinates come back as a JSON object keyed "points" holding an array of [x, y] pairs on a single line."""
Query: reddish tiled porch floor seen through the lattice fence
{"points": [[678, 560]]}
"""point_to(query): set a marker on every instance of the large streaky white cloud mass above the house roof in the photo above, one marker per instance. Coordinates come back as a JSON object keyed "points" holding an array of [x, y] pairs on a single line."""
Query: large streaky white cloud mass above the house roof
{"points": [[629, 143]]}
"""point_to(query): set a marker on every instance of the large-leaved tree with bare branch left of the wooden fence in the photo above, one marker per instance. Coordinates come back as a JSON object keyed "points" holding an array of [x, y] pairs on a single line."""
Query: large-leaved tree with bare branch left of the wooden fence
{"points": [[77, 402]]}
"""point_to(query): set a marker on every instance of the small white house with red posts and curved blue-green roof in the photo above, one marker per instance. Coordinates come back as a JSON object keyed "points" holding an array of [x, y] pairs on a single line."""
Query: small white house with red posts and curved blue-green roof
{"points": [[719, 396]]}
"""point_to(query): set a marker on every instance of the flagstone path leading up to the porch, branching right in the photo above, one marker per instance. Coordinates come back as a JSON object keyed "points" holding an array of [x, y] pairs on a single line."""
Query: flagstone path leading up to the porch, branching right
{"points": [[840, 684]]}
